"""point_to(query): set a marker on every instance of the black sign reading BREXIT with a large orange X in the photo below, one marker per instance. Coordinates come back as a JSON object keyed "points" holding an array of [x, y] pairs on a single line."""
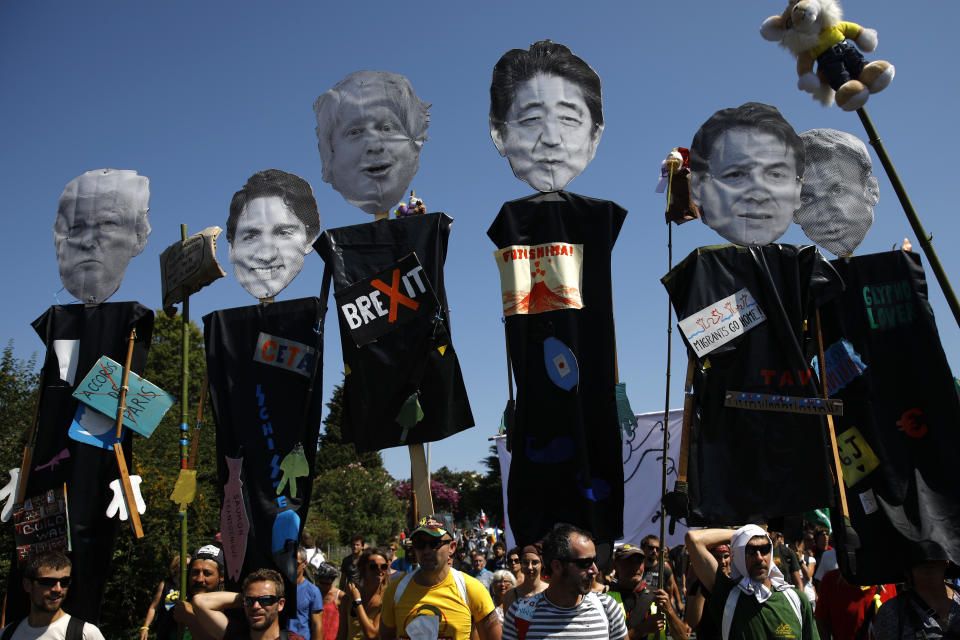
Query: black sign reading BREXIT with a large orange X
{"points": [[375, 306]]}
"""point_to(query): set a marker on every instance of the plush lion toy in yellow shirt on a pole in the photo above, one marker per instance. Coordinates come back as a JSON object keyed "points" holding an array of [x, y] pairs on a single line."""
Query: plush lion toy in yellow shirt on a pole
{"points": [[814, 30]]}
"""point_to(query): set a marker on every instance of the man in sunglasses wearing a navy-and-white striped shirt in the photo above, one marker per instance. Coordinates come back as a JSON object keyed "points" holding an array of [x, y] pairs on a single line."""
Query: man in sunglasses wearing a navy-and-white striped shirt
{"points": [[567, 609]]}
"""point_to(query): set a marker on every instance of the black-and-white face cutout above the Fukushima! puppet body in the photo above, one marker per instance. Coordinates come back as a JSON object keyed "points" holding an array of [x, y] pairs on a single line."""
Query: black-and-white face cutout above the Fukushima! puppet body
{"points": [[546, 114]]}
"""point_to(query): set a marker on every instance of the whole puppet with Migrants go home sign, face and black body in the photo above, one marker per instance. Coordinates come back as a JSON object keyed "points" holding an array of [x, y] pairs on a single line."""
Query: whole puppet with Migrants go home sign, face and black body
{"points": [[743, 311]]}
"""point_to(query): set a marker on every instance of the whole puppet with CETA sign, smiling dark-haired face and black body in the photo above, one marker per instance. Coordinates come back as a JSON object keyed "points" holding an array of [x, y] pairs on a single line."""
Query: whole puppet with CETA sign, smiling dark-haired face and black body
{"points": [[264, 364]]}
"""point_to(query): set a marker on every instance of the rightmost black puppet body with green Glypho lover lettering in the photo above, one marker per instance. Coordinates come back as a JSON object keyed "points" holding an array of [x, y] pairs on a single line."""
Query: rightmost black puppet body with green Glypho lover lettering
{"points": [[899, 434]]}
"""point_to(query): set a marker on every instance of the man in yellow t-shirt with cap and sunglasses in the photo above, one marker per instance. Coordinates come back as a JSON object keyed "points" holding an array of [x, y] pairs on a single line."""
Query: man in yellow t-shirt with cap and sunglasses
{"points": [[436, 602]]}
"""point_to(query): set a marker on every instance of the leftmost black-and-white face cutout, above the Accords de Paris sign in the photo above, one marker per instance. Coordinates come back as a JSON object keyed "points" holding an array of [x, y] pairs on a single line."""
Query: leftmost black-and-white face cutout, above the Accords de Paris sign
{"points": [[101, 224]]}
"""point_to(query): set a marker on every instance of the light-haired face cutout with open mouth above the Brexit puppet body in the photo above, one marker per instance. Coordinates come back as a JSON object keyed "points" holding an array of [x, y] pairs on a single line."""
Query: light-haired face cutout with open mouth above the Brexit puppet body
{"points": [[369, 152]]}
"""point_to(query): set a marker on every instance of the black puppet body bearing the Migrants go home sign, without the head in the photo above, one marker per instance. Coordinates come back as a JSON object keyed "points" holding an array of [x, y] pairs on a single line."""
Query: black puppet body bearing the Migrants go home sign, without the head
{"points": [[745, 464]]}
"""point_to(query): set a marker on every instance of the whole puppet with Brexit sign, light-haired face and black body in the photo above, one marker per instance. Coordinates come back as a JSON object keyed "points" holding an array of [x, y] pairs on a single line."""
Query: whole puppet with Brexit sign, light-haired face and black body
{"points": [[402, 382]]}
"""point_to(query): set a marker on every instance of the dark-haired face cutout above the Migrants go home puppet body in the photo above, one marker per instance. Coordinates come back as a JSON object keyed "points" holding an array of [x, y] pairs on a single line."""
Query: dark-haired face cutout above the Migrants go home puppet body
{"points": [[746, 168]]}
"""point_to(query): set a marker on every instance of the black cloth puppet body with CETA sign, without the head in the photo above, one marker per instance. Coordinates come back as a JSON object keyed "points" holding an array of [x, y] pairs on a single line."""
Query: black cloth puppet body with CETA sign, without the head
{"points": [[265, 367]]}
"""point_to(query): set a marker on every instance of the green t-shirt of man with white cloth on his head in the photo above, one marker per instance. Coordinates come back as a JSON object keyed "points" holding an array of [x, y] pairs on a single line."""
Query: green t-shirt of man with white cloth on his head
{"points": [[752, 620]]}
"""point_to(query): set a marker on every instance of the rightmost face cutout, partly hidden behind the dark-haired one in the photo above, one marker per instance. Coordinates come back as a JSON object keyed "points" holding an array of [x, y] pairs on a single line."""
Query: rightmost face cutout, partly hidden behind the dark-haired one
{"points": [[838, 194]]}
